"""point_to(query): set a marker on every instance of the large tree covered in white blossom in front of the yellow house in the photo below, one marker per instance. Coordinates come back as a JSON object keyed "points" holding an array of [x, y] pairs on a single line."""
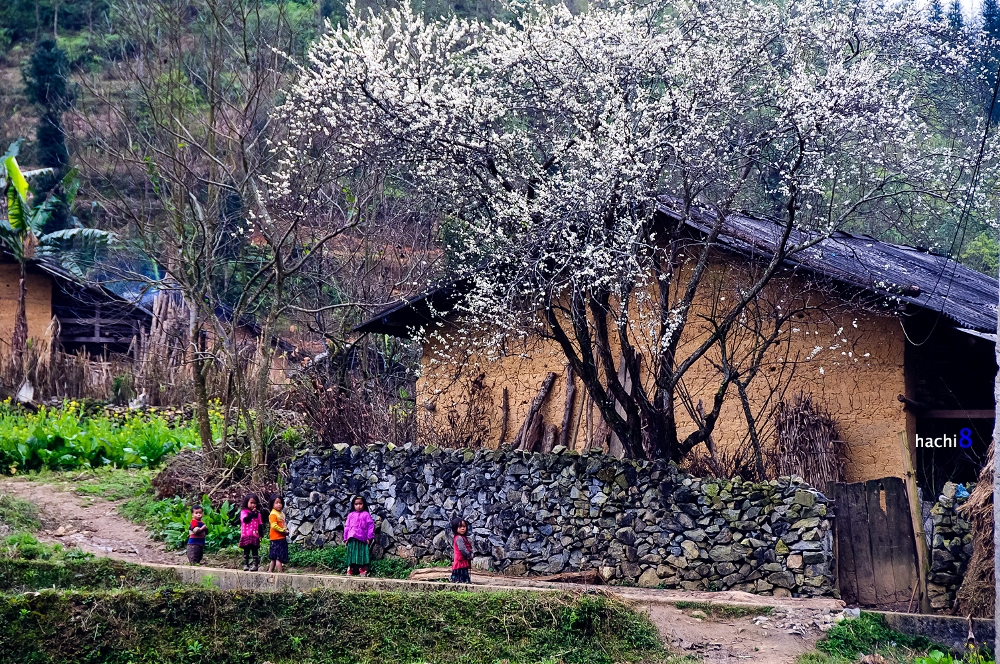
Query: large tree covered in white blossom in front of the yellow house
{"points": [[549, 144]]}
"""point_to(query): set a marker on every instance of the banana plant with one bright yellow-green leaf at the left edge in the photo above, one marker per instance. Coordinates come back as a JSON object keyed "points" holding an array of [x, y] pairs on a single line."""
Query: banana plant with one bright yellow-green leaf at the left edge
{"points": [[23, 238]]}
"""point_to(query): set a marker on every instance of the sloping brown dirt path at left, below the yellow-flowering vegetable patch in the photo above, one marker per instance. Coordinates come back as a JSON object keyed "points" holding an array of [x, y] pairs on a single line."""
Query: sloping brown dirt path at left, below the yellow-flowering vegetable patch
{"points": [[91, 525]]}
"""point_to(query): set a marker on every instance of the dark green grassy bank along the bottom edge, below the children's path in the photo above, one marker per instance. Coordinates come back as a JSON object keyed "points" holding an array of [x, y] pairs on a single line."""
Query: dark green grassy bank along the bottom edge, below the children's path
{"points": [[203, 625]]}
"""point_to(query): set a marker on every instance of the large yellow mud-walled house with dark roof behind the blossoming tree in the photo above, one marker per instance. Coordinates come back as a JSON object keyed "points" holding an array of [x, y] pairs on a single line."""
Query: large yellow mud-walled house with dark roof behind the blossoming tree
{"points": [[899, 352]]}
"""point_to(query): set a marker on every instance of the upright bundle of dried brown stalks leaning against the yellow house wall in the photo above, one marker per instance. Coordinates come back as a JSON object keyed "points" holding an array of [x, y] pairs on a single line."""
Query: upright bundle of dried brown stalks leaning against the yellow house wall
{"points": [[807, 443]]}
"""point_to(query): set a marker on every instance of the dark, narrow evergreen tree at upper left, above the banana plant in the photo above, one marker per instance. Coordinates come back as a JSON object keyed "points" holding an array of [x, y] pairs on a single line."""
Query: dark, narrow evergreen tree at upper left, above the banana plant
{"points": [[46, 84]]}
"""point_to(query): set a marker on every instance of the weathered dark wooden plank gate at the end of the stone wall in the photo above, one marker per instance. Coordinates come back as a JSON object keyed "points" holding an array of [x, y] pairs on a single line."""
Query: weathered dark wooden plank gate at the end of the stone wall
{"points": [[876, 553]]}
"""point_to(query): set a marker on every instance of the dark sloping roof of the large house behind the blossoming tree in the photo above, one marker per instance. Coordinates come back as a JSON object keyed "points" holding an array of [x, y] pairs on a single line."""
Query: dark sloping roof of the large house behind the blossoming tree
{"points": [[936, 283]]}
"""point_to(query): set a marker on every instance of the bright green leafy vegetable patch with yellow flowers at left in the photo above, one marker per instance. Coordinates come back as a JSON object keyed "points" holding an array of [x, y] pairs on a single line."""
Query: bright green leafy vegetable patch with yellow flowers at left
{"points": [[68, 439]]}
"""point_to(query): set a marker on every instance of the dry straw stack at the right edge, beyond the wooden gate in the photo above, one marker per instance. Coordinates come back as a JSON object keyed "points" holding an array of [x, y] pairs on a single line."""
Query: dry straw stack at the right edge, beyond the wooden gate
{"points": [[976, 596]]}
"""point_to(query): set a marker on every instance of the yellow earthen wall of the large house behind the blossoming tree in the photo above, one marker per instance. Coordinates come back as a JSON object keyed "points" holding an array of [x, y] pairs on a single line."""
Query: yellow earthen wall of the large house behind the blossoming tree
{"points": [[856, 375]]}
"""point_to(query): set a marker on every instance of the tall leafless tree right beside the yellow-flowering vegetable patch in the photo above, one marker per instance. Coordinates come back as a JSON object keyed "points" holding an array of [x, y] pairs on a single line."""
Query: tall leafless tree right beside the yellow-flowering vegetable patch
{"points": [[176, 144]]}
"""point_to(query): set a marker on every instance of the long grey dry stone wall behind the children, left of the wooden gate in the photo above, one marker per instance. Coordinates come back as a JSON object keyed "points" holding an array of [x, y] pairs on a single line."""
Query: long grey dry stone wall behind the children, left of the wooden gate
{"points": [[638, 522]]}
